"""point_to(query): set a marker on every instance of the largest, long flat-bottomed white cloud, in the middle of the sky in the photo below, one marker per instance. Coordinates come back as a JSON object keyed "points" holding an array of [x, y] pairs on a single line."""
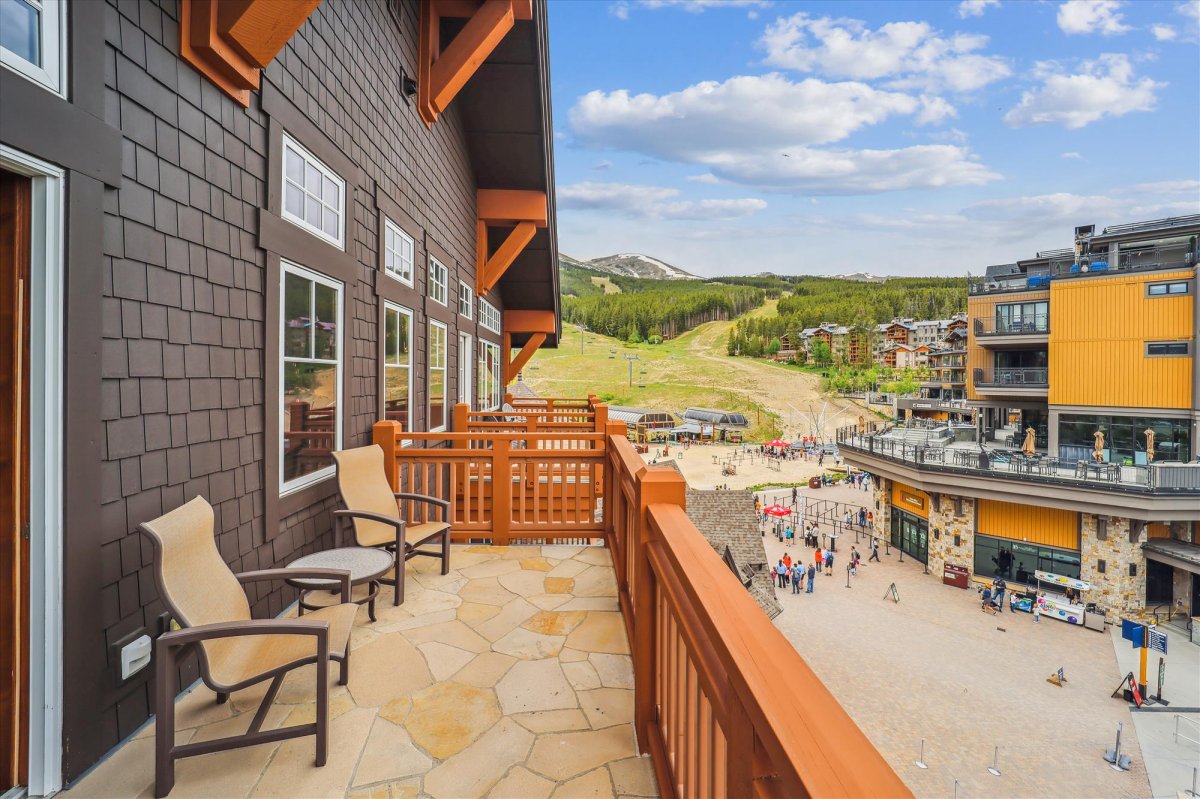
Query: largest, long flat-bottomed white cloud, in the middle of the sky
{"points": [[761, 131]]}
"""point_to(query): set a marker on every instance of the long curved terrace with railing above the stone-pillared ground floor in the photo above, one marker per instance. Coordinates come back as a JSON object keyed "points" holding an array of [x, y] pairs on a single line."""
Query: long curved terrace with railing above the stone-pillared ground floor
{"points": [[951, 458]]}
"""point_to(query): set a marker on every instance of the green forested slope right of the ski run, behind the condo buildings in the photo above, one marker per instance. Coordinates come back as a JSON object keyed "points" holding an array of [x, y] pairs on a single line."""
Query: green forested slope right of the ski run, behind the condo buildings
{"points": [[814, 301]]}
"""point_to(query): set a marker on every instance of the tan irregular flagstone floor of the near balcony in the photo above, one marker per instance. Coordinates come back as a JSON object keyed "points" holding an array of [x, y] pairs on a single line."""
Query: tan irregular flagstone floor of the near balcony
{"points": [[508, 678]]}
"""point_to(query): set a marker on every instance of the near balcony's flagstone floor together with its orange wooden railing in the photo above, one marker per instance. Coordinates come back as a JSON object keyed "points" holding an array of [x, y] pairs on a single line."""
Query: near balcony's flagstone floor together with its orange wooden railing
{"points": [[587, 641]]}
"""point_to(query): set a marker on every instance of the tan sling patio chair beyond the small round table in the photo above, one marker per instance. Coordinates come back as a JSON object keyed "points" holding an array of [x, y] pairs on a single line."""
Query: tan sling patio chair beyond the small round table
{"points": [[376, 515]]}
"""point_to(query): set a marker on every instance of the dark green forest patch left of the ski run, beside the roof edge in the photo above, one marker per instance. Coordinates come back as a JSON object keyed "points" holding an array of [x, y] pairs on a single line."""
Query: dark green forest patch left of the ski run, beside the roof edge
{"points": [[649, 309]]}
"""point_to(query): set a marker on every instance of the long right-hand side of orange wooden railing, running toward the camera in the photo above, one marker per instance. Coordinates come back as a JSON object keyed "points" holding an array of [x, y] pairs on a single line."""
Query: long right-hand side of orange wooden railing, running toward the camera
{"points": [[724, 704]]}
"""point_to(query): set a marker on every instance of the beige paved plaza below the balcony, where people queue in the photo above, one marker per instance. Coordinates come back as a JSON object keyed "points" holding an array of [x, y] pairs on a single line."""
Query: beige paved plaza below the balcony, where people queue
{"points": [[935, 666]]}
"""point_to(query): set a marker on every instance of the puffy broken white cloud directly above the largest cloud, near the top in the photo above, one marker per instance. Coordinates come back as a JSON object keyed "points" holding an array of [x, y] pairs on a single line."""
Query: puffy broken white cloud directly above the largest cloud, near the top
{"points": [[910, 55]]}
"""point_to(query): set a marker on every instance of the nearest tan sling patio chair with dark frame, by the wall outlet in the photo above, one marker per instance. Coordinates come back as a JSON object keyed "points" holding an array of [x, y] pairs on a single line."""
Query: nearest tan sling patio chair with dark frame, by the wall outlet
{"points": [[236, 652]]}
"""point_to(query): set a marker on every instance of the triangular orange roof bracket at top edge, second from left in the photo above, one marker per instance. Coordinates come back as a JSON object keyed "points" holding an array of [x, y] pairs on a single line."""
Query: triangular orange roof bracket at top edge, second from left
{"points": [[443, 74]]}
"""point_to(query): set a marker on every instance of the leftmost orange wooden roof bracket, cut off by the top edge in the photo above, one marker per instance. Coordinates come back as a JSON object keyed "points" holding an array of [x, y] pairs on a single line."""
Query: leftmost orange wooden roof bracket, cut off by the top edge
{"points": [[232, 41]]}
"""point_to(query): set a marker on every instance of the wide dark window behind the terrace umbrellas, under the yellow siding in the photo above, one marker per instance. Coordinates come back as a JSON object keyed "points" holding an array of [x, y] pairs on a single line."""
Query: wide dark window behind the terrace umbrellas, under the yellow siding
{"points": [[1125, 437]]}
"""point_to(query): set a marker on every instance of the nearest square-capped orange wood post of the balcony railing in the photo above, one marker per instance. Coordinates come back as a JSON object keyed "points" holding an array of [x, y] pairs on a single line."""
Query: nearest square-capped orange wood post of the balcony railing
{"points": [[661, 486]]}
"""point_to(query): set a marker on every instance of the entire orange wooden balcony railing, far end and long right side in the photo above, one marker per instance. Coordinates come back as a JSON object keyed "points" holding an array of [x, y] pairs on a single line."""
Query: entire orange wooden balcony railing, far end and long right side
{"points": [[724, 704]]}
